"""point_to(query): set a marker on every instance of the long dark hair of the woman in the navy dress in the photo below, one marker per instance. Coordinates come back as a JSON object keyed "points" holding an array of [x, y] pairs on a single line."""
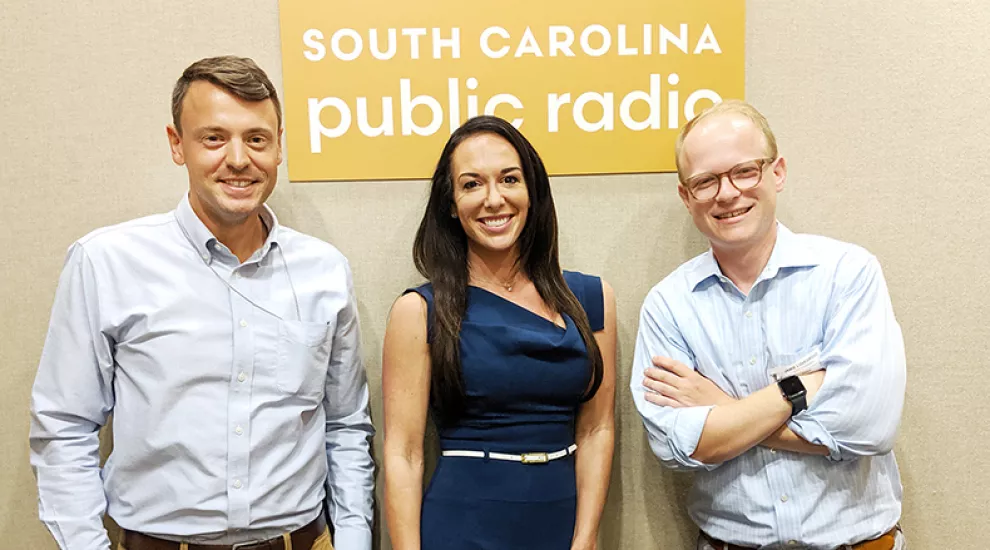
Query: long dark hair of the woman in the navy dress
{"points": [[440, 254]]}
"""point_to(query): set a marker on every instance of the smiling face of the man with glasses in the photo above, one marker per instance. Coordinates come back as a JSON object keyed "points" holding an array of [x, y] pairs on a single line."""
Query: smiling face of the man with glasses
{"points": [[733, 221]]}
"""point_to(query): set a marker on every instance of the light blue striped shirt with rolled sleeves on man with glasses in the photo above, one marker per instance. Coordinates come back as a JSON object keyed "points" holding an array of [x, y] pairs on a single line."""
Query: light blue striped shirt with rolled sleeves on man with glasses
{"points": [[814, 294]]}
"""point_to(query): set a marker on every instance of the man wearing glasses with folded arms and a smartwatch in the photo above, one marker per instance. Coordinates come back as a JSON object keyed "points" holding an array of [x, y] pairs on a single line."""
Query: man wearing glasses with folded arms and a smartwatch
{"points": [[772, 364]]}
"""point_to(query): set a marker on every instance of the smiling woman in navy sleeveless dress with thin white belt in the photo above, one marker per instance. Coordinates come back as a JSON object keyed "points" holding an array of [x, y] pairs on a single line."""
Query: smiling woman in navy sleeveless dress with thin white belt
{"points": [[513, 358]]}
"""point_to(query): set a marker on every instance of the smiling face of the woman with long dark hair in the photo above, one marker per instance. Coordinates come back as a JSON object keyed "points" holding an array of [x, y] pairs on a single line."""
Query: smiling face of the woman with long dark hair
{"points": [[490, 195]]}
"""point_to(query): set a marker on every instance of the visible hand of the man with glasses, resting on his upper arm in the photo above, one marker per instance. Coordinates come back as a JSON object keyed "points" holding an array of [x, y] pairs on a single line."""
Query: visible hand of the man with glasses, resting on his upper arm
{"points": [[674, 384]]}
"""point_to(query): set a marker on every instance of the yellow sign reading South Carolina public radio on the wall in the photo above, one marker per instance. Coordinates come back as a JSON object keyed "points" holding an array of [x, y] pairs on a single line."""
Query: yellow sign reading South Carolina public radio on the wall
{"points": [[374, 89]]}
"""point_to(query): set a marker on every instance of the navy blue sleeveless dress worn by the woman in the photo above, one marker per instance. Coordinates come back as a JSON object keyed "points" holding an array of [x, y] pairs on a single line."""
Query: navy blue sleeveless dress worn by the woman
{"points": [[523, 377]]}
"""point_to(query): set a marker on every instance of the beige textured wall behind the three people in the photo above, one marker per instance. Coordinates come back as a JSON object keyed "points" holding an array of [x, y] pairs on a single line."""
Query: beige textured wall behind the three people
{"points": [[879, 107]]}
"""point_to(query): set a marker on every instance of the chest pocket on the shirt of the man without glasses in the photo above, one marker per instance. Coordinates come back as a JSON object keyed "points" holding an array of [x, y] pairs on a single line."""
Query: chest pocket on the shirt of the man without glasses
{"points": [[303, 352]]}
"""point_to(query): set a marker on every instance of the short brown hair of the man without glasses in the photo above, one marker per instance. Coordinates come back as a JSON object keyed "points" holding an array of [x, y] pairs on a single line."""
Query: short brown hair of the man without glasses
{"points": [[240, 76]]}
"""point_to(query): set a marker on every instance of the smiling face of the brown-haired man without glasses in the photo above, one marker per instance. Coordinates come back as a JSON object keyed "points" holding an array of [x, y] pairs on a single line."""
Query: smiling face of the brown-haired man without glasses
{"points": [[231, 148]]}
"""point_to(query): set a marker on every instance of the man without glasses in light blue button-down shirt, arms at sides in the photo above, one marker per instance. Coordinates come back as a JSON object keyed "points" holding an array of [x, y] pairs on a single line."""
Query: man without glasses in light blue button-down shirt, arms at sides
{"points": [[225, 345]]}
